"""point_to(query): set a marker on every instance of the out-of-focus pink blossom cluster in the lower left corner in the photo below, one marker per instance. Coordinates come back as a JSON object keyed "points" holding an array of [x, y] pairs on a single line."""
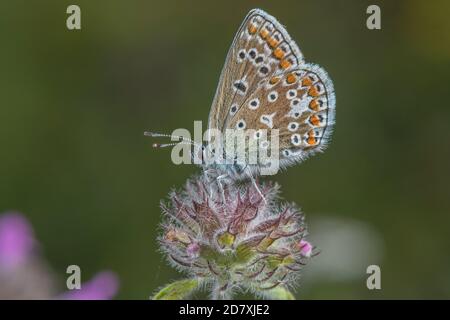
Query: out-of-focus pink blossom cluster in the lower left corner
{"points": [[25, 275]]}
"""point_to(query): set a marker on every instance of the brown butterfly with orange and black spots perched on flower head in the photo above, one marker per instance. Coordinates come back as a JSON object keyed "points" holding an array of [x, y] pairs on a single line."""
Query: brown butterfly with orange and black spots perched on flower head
{"points": [[266, 85]]}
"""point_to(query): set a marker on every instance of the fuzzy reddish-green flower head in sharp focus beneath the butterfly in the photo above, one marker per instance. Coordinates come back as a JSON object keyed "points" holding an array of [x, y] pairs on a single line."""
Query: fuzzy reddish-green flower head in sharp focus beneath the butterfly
{"points": [[234, 238]]}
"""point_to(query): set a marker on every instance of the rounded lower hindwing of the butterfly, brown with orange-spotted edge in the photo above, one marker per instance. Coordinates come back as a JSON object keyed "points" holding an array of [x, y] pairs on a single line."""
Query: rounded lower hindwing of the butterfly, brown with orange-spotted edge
{"points": [[300, 103]]}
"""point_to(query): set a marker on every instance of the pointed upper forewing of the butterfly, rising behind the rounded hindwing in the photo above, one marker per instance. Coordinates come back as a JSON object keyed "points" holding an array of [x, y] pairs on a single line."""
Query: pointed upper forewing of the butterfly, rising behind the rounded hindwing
{"points": [[260, 49]]}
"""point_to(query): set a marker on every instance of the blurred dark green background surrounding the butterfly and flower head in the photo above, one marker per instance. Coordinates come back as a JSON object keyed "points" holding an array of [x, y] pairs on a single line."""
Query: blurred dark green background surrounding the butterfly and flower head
{"points": [[74, 161]]}
